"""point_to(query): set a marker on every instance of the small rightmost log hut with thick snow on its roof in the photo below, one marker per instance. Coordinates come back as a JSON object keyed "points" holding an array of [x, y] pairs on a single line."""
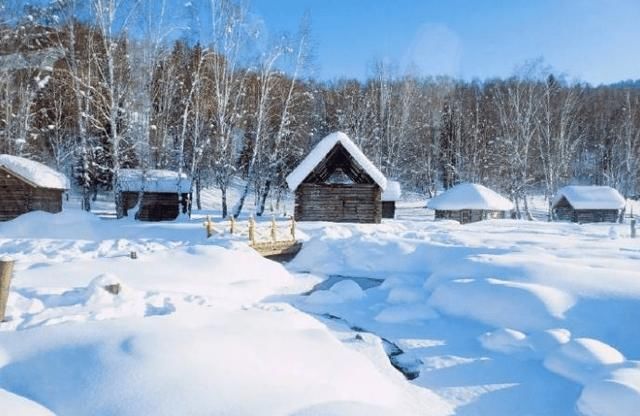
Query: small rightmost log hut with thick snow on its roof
{"points": [[587, 204]]}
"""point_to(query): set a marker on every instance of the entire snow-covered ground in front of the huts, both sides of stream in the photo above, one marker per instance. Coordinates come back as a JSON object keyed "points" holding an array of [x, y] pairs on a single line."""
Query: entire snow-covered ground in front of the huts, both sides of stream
{"points": [[496, 318]]}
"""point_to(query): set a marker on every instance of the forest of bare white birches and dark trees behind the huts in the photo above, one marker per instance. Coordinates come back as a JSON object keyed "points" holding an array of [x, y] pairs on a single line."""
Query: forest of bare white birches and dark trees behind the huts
{"points": [[94, 86]]}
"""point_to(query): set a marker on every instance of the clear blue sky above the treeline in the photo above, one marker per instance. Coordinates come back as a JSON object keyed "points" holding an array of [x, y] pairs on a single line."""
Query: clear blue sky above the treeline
{"points": [[596, 41]]}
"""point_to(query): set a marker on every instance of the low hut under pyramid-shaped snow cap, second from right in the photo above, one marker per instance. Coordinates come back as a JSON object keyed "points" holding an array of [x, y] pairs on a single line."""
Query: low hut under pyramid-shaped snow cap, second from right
{"points": [[470, 202]]}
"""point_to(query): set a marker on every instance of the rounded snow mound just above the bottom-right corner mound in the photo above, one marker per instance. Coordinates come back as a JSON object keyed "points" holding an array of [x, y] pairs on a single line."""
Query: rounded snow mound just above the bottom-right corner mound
{"points": [[583, 359]]}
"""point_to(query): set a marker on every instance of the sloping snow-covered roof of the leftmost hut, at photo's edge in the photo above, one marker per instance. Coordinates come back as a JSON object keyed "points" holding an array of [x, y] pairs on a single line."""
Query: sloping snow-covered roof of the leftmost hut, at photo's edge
{"points": [[33, 172]]}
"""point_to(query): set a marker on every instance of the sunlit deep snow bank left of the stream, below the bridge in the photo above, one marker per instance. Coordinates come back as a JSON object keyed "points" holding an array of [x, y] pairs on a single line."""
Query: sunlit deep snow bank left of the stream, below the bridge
{"points": [[191, 330]]}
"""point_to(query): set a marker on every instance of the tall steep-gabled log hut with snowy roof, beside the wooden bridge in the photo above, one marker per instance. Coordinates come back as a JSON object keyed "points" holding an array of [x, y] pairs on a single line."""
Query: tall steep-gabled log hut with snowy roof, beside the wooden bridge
{"points": [[336, 182]]}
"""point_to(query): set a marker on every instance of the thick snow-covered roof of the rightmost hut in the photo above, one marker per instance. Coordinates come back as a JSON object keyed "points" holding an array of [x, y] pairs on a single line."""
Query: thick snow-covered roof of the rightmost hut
{"points": [[591, 197]]}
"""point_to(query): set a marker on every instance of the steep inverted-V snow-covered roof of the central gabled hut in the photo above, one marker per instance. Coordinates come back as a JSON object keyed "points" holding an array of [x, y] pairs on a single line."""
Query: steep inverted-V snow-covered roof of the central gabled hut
{"points": [[322, 149]]}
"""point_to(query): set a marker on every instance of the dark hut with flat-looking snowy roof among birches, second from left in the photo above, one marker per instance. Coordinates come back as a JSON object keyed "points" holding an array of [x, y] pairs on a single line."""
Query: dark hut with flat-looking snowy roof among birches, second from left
{"points": [[165, 193]]}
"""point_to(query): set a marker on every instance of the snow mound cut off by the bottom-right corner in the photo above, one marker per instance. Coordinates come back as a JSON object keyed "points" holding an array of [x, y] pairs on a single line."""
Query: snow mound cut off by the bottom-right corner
{"points": [[616, 395]]}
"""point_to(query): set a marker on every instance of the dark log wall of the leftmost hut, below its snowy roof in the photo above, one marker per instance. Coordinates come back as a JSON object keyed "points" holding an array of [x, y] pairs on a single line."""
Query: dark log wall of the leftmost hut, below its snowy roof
{"points": [[18, 197]]}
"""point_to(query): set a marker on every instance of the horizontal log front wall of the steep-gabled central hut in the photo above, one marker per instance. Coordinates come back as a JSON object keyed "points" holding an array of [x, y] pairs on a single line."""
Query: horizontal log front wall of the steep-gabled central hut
{"points": [[358, 203]]}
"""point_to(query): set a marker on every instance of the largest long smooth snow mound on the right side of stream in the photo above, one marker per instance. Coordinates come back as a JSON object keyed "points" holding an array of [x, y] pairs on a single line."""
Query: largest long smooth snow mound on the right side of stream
{"points": [[502, 304]]}
